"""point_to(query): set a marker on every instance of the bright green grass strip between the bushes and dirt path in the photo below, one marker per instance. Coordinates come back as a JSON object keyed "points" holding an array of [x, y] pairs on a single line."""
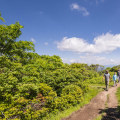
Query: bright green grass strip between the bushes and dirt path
{"points": [[86, 99]]}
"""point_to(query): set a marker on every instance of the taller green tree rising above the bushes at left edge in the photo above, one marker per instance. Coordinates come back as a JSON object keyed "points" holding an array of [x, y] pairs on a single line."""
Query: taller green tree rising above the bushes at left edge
{"points": [[10, 47]]}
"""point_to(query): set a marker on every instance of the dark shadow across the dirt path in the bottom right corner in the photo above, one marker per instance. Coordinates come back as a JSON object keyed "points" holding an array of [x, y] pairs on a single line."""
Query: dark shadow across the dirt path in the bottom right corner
{"points": [[111, 114]]}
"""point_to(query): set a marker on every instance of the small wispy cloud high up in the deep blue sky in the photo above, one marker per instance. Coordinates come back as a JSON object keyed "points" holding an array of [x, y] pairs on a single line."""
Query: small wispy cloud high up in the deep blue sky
{"points": [[83, 10]]}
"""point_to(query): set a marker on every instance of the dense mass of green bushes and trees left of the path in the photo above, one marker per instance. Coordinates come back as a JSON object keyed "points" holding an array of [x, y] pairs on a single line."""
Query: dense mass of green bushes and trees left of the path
{"points": [[31, 86]]}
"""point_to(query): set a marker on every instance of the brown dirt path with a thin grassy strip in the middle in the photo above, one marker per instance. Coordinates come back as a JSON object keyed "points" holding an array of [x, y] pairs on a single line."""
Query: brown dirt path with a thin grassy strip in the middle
{"points": [[96, 106]]}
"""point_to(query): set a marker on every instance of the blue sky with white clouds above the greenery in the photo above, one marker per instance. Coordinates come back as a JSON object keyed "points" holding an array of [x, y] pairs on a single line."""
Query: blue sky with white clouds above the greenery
{"points": [[82, 31]]}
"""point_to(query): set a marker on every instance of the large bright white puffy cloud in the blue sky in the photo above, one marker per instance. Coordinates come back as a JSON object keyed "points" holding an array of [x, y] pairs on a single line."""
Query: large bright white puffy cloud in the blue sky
{"points": [[101, 44]]}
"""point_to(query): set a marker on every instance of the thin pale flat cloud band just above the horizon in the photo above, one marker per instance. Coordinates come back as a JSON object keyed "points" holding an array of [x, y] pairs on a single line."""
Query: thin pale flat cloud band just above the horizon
{"points": [[91, 59]]}
